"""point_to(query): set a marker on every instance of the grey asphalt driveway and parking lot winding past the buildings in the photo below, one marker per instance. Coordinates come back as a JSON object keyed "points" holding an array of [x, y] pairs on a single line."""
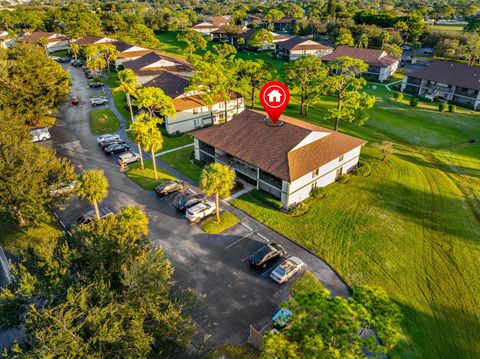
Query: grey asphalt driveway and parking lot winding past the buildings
{"points": [[214, 265]]}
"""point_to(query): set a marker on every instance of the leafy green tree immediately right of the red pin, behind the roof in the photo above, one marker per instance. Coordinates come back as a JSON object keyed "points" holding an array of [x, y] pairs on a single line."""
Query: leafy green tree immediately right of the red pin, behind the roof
{"points": [[307, 74]]}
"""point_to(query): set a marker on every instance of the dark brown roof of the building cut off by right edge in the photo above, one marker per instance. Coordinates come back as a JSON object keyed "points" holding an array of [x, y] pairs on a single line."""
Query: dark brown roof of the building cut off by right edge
{"points": [[450, 73]]}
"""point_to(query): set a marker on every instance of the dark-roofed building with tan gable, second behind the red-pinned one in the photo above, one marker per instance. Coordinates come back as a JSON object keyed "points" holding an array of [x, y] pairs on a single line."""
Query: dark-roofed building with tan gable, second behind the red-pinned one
{"points": [[152, 64]]}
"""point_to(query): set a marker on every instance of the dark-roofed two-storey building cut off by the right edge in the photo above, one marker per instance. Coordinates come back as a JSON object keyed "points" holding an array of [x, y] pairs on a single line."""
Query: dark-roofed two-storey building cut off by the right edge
{"points": [[452, 81]]}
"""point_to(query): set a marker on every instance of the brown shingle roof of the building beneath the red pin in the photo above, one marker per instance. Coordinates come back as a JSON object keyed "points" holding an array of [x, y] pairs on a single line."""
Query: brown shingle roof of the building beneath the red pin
{"points": [[269, 148]]}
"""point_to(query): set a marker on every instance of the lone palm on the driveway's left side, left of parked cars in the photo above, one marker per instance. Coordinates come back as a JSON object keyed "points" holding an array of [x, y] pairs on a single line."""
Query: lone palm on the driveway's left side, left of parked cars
{"points": [[92, 186]]}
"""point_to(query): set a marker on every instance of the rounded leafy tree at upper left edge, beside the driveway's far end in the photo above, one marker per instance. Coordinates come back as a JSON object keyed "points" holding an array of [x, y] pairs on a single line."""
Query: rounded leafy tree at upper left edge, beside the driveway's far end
{"points": [[30, 82]]}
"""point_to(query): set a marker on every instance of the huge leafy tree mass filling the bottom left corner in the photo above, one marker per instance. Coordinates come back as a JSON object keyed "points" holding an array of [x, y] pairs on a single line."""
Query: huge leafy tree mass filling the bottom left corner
{"points": [[104, 292]]}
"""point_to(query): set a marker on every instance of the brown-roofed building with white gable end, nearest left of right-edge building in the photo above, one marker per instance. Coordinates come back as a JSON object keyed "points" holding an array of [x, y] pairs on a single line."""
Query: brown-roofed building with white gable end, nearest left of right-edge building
{"points": [[380, 64]]}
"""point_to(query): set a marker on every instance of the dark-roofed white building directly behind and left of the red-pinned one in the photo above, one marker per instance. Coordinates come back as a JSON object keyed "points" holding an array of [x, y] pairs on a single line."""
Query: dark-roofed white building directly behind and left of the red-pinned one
{"points": [[192, 111]]}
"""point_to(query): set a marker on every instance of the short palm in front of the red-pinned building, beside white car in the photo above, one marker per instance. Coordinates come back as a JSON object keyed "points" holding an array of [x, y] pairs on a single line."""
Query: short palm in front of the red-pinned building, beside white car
{"points": [[217, 179]]}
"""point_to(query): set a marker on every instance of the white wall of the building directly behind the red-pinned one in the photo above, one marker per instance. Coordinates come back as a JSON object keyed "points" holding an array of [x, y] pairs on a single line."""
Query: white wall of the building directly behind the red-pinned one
{"points": [[187, 120]]}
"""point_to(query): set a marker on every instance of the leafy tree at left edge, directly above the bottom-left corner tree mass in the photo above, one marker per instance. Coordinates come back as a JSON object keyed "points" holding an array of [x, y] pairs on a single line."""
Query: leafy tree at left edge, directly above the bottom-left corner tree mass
{"points": [[28, 172]]}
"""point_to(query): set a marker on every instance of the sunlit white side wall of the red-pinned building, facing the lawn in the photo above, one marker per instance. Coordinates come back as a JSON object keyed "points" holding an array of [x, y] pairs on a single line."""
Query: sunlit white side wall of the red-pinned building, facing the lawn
{"points": [[300, 189]]}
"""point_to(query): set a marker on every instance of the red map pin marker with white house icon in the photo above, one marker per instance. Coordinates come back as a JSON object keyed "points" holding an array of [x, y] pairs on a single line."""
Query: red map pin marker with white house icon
{"points": [[274, 97]]}
